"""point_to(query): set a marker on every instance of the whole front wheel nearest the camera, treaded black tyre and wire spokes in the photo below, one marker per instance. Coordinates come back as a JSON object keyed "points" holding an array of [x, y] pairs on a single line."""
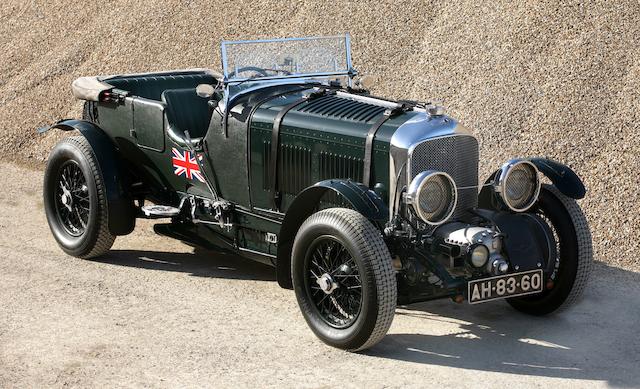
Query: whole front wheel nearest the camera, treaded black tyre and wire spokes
{"points": [[343, 279]]}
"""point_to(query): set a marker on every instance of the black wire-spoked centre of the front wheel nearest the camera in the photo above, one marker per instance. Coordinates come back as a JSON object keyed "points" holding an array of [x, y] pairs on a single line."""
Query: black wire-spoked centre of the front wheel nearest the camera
{"points": [[333, 282]]}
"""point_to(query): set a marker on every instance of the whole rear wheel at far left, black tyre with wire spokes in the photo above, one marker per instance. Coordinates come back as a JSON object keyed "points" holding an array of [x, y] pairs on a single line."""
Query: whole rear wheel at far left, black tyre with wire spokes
{"points": [[74, 199]]}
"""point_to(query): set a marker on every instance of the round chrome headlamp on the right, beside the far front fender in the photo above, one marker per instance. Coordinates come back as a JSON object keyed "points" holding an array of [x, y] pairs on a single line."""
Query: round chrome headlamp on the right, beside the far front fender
{"points": [[518, 185]]}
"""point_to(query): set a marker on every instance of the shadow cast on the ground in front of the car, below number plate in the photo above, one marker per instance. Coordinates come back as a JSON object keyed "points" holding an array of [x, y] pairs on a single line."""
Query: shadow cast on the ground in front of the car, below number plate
{"points": [[595, 340]]}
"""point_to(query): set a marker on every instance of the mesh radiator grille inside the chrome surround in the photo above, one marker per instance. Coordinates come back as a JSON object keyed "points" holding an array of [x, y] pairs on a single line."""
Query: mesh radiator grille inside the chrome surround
{"points": [[455, 155]]}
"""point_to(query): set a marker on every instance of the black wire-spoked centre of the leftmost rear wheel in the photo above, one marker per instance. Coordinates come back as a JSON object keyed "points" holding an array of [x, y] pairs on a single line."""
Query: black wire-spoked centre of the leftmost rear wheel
{"points": [[72, 199]]}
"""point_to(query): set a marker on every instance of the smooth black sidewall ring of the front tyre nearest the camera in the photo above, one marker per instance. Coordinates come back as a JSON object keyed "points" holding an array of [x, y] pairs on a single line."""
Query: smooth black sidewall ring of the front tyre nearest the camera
{"points": [[359, 332]]}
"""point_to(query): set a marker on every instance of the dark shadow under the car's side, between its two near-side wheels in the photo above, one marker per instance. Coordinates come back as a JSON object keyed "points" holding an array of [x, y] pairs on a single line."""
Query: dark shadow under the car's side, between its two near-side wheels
{"points": [[199, 263]]}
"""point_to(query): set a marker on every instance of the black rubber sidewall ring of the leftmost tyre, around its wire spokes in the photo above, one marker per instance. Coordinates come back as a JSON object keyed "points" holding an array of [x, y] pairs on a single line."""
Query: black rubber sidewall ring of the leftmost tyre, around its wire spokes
{"points": [[81, 245]]}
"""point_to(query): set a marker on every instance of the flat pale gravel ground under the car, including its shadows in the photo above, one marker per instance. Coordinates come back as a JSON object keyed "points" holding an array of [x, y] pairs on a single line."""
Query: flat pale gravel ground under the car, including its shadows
{"points": [[155, 314]]}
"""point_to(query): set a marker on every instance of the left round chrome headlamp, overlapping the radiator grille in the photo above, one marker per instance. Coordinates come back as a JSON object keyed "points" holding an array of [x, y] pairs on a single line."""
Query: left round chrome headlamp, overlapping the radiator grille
{"points": [[433, 196]]}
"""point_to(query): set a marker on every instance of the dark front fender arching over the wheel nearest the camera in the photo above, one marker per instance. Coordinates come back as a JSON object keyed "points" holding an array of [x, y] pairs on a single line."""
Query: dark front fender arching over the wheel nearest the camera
{"points": [[358, 196]]}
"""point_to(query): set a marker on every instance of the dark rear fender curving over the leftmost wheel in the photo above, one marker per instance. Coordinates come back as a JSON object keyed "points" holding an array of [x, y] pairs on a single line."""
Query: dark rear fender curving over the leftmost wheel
{"points": [[120, 206]]}
